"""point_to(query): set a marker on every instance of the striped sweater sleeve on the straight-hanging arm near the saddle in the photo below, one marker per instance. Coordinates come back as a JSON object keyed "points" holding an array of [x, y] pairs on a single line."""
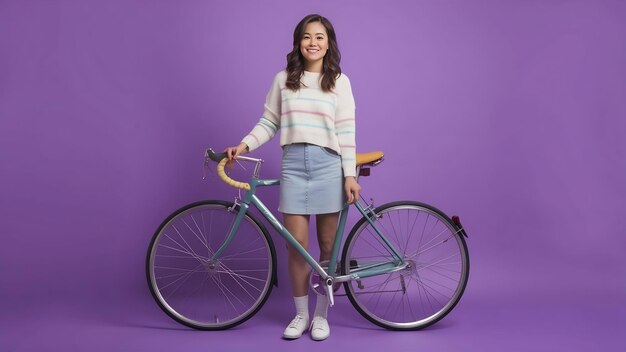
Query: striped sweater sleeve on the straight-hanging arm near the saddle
{"points": [[345, 125]]}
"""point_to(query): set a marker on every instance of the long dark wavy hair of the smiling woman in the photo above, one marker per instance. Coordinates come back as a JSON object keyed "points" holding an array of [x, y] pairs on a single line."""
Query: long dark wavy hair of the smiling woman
{"points": [[295, 60]]}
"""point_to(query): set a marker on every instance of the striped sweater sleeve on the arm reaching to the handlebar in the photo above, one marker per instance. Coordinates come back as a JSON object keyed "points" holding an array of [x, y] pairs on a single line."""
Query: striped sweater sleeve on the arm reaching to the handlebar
{"points": [[269, 123]]}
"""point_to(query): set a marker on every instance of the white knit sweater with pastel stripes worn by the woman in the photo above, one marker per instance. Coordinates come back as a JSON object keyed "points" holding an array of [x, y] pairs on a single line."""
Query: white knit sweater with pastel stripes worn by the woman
{"points": [[309, 115]]}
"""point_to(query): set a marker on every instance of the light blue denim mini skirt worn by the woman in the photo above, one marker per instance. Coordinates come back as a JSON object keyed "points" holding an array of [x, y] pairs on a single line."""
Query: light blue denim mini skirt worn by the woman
{"points": [[311, 180]]}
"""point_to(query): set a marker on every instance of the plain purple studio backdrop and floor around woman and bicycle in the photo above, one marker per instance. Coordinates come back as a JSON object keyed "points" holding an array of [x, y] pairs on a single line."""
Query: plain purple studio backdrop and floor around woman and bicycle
{"points": [[511, 114]]}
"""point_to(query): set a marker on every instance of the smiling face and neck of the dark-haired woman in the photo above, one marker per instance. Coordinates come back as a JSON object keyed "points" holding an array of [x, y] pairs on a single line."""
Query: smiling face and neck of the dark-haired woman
{"points": [[313, 46]]}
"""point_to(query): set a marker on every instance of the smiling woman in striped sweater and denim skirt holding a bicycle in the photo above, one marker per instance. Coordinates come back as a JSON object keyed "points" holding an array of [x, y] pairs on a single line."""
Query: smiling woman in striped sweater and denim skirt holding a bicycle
{"points": [[312, 103]]}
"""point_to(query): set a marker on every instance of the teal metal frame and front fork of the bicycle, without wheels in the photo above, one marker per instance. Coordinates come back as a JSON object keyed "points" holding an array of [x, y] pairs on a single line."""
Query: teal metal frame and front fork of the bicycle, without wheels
{"points": [[371, 269]]}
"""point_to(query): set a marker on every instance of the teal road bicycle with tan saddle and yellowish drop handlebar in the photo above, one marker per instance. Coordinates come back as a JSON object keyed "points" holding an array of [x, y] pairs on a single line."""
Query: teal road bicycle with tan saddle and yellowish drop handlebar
{"points": [[211, 265]]}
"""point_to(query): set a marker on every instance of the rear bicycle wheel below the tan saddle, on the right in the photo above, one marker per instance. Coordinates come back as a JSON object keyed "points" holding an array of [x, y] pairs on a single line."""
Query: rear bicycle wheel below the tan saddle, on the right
{"points": [[428, 288]]}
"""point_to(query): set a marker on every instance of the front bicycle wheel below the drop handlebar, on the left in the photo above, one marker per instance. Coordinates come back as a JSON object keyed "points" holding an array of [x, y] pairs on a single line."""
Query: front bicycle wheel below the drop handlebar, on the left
{"points": [[200, 293]]}
